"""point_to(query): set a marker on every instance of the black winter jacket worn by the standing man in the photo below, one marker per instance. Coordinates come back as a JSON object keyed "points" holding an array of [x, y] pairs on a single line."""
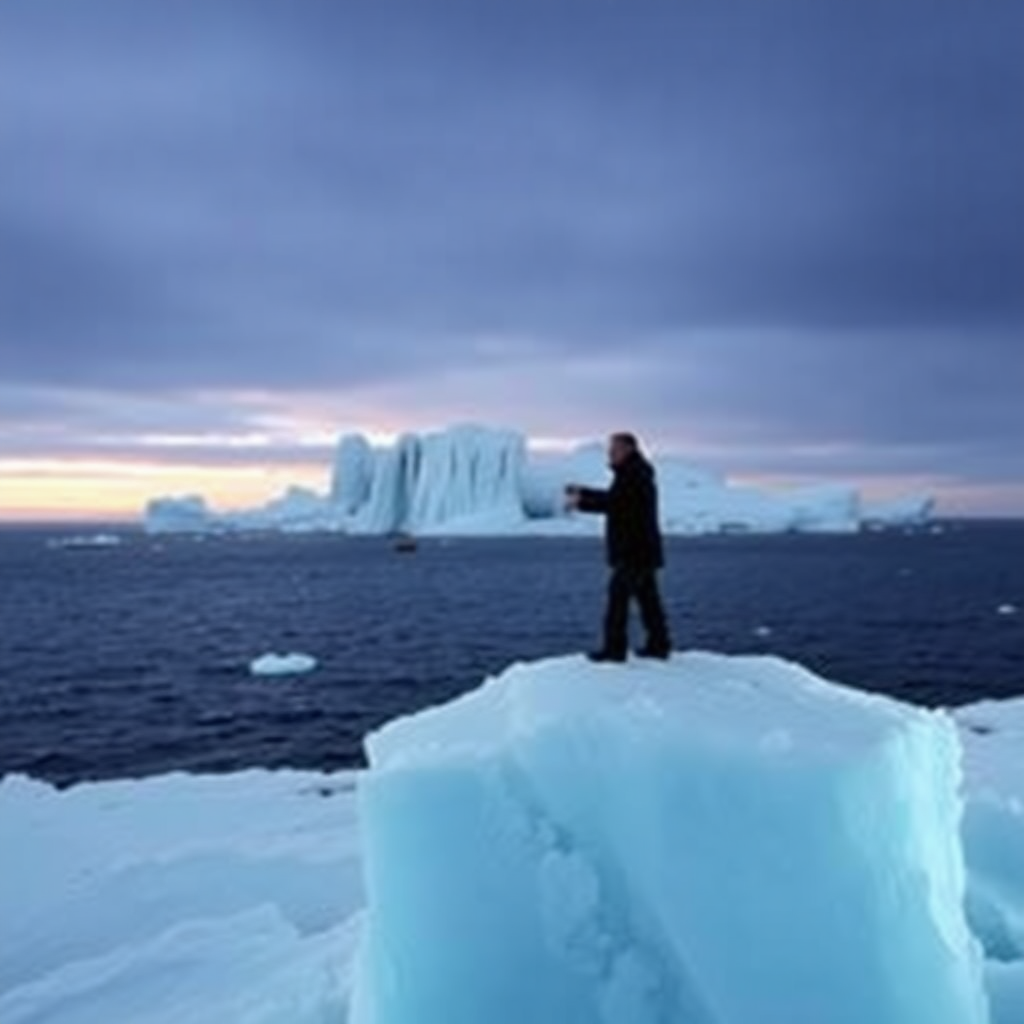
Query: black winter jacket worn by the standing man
{"points": [[632, 534]]}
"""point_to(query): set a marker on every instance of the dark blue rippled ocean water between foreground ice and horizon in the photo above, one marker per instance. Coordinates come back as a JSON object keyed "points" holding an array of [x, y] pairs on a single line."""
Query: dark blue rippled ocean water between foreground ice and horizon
{"points": [[134, 660]]}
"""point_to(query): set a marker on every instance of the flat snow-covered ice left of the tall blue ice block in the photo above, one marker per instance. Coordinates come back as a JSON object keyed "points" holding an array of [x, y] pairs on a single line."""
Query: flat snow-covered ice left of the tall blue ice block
{"points": [[179, 901]]}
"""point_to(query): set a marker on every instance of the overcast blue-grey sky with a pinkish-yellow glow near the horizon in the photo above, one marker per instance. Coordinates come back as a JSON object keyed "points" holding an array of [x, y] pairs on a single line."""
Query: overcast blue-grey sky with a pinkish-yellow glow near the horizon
{"points": [[787, 238]]}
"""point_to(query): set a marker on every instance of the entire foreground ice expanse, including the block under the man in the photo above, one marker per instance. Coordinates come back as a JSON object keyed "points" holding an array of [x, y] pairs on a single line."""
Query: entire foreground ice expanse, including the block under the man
{"points": [[718, 840]]}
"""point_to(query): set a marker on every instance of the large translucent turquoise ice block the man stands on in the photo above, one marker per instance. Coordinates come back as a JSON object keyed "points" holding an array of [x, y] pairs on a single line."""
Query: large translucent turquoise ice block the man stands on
{"points": [[709, 841]]}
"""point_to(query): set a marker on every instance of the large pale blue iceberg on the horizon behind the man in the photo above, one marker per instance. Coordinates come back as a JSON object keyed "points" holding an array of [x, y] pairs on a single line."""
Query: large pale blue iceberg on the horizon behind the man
{"points": [[472, 481]]}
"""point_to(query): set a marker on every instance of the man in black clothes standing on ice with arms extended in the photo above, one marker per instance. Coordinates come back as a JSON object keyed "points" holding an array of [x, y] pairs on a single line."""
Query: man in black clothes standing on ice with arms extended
{"points": [[634, 547]]}
